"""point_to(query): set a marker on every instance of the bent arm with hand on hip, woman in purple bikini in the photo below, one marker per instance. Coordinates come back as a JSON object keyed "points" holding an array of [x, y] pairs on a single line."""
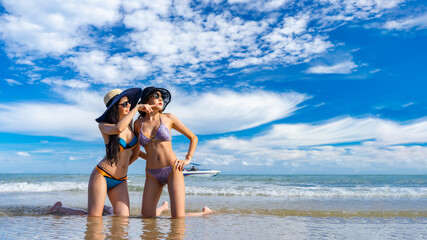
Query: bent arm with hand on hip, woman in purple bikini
{"points": [[180, 127]]}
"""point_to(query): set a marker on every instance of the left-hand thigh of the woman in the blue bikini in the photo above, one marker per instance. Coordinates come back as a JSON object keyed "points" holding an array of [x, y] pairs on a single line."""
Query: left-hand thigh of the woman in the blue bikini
{"points": [[97, 192]]}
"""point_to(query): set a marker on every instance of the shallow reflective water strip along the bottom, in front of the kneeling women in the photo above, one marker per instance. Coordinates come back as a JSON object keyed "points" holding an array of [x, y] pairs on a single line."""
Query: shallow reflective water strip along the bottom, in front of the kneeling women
{"points": [[218, 226]]}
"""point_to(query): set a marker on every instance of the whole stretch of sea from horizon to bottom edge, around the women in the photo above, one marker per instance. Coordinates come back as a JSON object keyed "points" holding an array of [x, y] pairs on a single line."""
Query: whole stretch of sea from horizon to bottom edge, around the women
{"points": [[246, 207]]}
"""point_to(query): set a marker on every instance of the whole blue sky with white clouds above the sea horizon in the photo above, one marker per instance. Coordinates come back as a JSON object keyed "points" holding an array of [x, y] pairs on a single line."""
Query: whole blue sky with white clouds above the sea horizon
{"points": [[276, 86]]}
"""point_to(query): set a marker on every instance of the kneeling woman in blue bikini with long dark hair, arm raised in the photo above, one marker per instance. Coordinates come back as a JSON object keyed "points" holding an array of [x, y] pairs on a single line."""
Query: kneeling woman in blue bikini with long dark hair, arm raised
{"points": [[122, 149]]}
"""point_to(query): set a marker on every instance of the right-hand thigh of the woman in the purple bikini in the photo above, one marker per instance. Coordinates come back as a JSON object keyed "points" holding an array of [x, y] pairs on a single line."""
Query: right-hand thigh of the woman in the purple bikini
{"points": [[176, 187]]}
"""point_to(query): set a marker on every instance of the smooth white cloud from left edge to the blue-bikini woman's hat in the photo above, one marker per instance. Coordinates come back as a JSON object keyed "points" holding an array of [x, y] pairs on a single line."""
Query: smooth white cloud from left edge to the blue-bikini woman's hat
{"points": [[74, 120]]}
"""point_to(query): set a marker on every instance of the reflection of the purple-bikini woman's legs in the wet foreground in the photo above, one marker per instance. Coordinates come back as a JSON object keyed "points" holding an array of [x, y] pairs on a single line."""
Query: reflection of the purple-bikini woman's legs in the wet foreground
{"points": [[155, 228]]}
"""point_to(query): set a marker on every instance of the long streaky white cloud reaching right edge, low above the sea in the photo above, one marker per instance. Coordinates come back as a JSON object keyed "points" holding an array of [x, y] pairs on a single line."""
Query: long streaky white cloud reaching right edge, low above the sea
{"points": [[346, 130]]}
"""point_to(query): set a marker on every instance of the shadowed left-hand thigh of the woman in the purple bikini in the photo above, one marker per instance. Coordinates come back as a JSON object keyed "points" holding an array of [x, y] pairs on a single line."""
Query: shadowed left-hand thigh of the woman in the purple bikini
{"points": [[150, 198]]}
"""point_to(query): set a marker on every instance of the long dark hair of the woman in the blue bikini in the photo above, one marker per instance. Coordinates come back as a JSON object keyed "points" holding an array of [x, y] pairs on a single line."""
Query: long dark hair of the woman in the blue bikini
{"points": [[112, 147]]}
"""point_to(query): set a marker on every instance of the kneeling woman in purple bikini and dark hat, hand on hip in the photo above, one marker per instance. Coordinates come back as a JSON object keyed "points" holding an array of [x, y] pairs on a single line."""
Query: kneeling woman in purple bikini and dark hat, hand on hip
{"points": [[163, 167]]}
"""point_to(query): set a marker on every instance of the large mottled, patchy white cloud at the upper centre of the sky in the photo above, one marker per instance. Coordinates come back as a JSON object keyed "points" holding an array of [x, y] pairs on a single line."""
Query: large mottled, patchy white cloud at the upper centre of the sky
{"points": [[197, 42]]}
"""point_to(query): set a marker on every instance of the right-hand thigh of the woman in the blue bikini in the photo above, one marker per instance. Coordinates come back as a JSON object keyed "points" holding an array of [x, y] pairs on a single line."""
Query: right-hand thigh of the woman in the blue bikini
{"points": [[119, 198]]}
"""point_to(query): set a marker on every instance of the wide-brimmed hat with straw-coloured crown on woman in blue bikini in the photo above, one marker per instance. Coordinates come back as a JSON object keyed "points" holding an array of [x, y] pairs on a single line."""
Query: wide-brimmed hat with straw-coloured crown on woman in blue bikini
{"points": [[113, 96]]}
